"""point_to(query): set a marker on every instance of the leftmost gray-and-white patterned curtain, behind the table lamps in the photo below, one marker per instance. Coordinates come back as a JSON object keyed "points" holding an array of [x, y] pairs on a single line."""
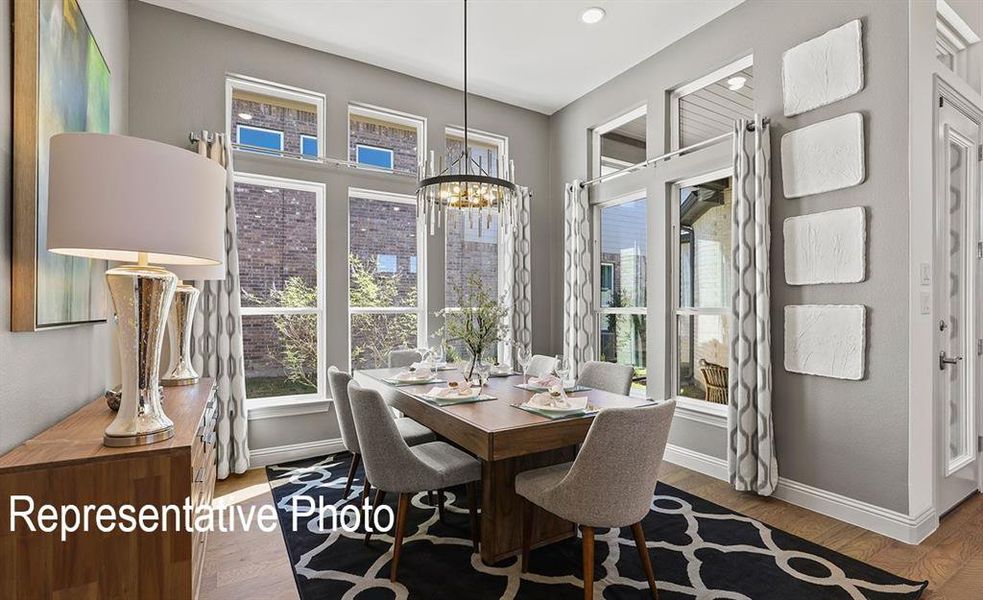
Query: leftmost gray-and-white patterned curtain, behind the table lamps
{"points": [[217, 331]]}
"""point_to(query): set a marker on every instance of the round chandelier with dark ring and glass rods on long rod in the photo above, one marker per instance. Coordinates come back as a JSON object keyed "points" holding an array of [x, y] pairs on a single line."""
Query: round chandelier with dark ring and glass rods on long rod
{"points": [[465, 183]]}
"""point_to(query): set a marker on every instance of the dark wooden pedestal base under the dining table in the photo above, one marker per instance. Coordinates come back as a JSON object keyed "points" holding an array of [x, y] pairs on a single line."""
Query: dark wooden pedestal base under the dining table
{"points": [[501, 507]]}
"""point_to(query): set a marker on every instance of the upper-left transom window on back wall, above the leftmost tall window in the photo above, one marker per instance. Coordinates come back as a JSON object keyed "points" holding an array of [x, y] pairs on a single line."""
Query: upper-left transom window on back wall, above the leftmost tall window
{"points": [[270, 115]]}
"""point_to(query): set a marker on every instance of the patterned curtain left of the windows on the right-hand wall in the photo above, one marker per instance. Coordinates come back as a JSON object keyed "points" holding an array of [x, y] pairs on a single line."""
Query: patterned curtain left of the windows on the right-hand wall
{"points": [[578, 289]]}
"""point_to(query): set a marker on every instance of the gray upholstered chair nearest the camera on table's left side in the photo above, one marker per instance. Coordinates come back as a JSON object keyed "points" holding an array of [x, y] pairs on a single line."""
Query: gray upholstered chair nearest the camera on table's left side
{"points": [[393, 466]]}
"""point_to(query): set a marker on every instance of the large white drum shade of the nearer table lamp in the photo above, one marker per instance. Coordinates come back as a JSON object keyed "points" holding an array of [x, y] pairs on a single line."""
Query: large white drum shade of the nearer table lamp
{"points": [[113, 196]]}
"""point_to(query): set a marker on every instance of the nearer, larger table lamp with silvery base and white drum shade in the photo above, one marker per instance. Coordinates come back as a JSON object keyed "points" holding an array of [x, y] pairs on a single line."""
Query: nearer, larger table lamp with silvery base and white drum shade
{"points": [[128, 199]]}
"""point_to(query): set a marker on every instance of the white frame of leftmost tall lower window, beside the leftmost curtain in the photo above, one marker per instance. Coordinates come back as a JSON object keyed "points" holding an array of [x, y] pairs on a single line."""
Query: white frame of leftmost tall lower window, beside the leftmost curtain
{"points": [[319, 191]]}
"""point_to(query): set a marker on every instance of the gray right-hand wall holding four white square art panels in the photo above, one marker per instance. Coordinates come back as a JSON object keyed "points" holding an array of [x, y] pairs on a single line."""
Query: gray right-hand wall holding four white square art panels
{"points": [[844, 437]]}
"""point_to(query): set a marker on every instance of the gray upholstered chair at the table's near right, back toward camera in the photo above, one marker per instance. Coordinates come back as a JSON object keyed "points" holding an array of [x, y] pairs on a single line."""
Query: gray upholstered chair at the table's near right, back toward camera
{"points": [[609, 484]]}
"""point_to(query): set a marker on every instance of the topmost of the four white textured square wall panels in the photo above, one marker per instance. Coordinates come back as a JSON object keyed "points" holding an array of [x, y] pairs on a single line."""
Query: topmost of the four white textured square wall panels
{"points": [[823, 70]]}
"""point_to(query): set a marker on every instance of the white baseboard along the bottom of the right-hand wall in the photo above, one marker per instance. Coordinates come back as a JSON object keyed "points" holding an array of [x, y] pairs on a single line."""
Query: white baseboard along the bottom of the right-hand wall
{"points": [[893, 524]]}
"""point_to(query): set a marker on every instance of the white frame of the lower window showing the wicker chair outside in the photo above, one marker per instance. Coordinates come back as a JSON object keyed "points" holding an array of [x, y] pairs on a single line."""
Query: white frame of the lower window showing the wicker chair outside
{"points": [[693, 404]]}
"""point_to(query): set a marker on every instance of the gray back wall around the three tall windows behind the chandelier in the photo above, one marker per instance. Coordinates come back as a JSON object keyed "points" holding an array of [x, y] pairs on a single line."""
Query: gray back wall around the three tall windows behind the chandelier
{"points": [[179, 66]]}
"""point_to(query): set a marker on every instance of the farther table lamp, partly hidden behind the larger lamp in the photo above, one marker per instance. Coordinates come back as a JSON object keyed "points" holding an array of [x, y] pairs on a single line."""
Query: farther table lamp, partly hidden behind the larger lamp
{"points": [[180, 320]]}
